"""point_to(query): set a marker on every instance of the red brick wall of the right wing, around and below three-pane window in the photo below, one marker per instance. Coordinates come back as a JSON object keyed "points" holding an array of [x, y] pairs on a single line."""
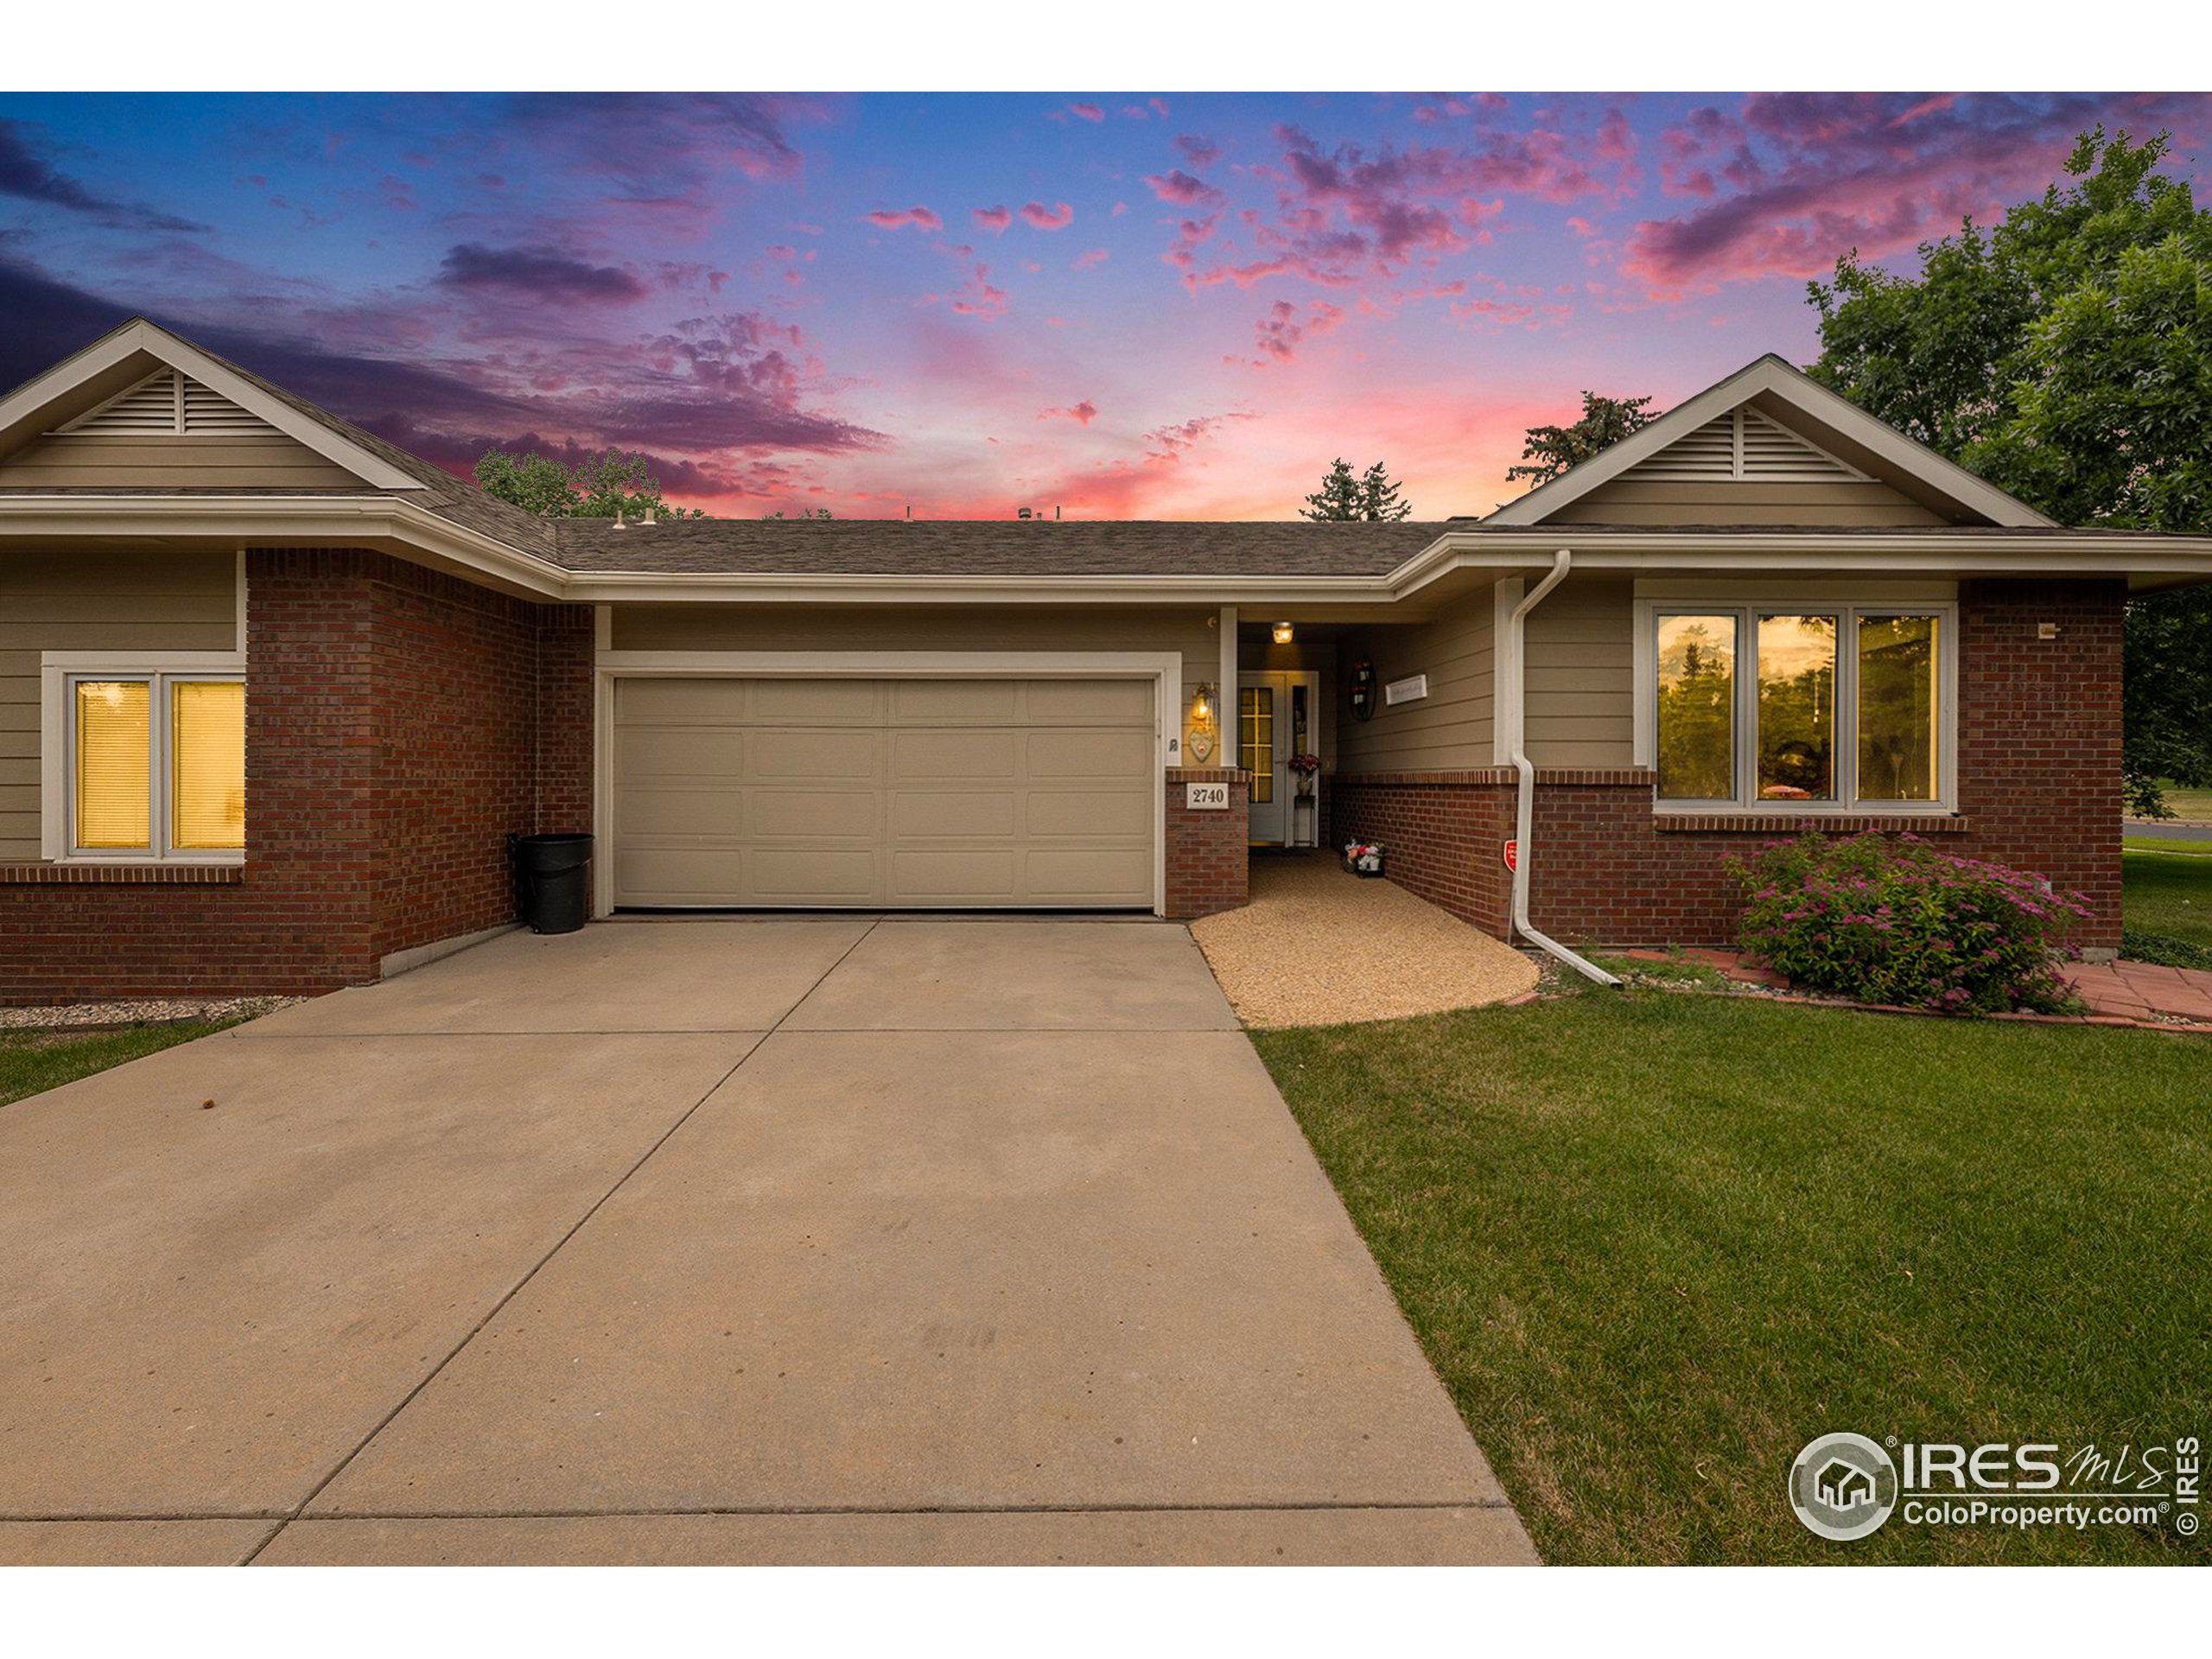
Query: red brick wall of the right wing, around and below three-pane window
{"points": [[2038, 789]]}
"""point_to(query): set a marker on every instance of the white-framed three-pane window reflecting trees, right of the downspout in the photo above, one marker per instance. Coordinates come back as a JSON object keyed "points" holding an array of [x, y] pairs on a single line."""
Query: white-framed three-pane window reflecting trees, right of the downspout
{"points": [[1799, 705]]}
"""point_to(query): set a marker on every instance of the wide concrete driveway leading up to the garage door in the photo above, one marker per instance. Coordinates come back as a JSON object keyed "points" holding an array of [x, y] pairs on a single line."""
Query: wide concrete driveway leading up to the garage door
{"points": [[716, 1242]]}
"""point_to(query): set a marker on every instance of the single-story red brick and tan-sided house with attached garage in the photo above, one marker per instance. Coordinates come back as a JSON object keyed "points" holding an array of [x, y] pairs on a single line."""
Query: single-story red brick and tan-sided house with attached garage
{"points": [[275, 693]]}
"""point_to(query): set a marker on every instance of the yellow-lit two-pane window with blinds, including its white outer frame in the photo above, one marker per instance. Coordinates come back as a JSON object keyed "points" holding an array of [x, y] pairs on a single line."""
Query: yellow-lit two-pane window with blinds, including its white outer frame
{"points": [[143, 758]]}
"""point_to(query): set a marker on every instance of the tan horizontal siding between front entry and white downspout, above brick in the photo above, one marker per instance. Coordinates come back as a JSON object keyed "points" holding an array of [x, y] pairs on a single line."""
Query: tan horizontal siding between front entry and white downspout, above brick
{"points": [[1446, 731]]}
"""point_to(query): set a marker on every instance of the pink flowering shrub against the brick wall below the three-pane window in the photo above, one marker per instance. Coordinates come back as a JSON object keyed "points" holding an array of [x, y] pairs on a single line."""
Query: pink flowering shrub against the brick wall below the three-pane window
{"points": [[1901, 921]]}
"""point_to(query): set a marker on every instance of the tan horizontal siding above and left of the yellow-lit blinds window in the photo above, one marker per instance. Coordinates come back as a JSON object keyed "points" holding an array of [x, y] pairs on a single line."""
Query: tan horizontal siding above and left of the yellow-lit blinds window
{"points": [[94, 601]]}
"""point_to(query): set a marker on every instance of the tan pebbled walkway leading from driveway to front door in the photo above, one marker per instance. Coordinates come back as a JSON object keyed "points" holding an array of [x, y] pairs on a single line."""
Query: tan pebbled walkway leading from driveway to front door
{"points": [[1319, 948]]}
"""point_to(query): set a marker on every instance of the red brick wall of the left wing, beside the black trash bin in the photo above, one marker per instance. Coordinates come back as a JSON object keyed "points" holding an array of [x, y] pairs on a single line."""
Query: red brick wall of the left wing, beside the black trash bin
{"points": [[393, 742]]}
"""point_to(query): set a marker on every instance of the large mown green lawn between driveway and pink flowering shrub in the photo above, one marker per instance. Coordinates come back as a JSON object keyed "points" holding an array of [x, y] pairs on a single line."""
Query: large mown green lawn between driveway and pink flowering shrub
{"points": [[1656, 1244]]}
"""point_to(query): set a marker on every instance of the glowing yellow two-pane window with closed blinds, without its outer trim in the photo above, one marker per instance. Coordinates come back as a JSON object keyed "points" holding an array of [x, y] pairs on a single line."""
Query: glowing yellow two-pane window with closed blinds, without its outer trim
{"points": [[158, 766]]}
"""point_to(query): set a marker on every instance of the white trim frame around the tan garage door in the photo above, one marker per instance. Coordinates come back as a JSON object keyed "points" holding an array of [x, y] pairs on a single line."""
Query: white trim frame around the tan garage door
{"points": [[1162, 667]]}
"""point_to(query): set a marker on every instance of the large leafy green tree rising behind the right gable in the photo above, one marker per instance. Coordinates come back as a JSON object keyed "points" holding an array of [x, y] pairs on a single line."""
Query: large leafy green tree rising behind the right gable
{"points": [[2067, 357]]}
